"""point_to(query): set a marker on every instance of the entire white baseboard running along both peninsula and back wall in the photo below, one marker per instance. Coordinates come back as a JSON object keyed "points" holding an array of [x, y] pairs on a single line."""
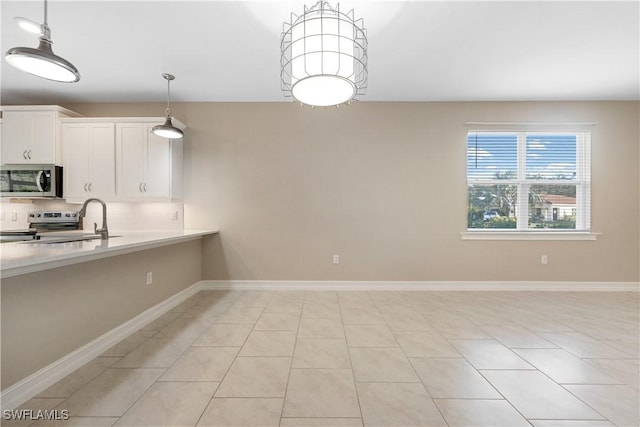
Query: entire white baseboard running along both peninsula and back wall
{"points": [[39, 381]]}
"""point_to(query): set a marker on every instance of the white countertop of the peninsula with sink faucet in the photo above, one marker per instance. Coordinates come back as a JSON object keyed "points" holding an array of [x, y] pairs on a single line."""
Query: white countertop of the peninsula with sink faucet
{"points": [[26, 257]]}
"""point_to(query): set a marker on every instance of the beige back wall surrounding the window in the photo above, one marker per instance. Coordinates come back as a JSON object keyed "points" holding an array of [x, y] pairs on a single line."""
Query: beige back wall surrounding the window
{"points": [[383, 185]]}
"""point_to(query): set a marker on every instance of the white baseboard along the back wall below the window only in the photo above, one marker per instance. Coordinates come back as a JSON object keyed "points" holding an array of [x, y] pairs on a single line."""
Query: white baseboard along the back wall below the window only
{"points": [[310, 285]]}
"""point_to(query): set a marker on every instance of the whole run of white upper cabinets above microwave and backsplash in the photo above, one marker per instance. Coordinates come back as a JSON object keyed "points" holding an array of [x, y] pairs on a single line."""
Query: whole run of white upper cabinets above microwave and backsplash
{"points": [[112, 158]]}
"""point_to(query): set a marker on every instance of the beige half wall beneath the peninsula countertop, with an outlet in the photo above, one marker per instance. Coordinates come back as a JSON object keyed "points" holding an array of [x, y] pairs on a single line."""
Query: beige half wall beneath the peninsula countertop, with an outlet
{"points": [[49, 314]]}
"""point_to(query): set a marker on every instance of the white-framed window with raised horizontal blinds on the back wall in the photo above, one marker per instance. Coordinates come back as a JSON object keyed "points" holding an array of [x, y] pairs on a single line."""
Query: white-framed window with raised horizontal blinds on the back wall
{"points": [[528, 181]]}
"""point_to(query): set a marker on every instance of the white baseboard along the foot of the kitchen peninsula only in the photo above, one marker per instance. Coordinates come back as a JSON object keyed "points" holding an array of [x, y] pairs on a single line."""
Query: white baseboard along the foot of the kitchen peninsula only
{"points": [[36, 383]]}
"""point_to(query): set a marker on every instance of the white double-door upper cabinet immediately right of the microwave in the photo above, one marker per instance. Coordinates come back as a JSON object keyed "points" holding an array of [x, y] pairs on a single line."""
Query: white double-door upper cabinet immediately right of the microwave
{"points": [[89, 159]]}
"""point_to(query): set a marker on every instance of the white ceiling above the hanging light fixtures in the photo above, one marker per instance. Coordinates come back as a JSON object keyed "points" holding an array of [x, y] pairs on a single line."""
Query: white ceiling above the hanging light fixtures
{"points": [[418, 50]]}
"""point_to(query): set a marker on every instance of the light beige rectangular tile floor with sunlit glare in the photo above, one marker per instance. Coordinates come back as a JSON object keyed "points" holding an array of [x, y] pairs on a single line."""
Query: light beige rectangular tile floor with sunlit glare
{"points": [[334, 359]]}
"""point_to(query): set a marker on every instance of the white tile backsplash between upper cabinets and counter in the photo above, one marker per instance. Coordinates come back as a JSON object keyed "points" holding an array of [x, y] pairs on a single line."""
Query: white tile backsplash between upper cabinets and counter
{"points": [[120, 216]]}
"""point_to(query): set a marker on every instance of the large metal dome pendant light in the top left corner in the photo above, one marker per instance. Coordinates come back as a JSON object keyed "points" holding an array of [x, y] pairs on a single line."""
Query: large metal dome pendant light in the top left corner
{"points": [[41, 61]]}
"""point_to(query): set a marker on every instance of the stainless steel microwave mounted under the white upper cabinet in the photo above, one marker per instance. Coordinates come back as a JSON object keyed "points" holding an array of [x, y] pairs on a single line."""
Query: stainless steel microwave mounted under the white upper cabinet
{"points": [[31, 181]]}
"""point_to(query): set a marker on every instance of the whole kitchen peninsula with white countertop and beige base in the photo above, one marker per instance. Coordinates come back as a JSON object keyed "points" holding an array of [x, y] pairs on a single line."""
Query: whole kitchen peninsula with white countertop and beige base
{"points": [[102, 290]]}
